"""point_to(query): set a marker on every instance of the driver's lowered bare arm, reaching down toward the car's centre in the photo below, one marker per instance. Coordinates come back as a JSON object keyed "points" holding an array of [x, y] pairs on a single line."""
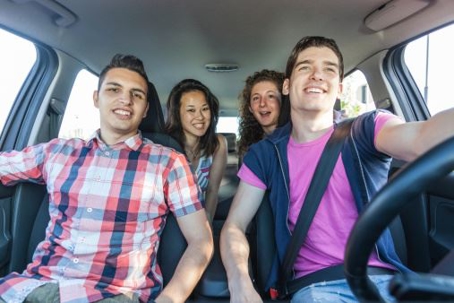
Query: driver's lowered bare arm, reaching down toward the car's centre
{"points": [[234, 245]]}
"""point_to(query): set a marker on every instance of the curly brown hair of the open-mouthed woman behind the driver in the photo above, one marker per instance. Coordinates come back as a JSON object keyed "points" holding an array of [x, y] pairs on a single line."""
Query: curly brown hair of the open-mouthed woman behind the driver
{"points": [[250, 131]]}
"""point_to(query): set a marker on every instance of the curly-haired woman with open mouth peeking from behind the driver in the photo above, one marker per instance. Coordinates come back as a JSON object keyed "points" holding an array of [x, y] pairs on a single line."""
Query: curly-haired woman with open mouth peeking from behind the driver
{"points": [[261, 108]]}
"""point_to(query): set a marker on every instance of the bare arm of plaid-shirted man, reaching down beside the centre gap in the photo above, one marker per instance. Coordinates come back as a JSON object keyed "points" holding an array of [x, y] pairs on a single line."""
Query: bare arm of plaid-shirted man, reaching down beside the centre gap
{"points": [[197, 232]]}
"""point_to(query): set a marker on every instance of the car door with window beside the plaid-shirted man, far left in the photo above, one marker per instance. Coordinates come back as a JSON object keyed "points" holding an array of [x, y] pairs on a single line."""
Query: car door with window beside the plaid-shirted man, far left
{"points": [[26, 71]]}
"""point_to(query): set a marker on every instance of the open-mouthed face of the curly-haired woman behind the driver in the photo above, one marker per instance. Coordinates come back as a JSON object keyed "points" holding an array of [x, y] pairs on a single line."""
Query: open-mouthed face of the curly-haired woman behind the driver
{"points": [[265, 104]]}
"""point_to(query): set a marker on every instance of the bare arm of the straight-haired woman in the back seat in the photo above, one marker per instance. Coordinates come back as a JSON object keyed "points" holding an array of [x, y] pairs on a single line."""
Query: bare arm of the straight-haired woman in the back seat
{"points": [[216, 173]]}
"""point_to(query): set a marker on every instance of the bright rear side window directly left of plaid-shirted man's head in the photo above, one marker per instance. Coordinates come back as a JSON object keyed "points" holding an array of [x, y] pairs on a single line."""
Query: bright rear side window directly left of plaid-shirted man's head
{"points": [[81, 117]]}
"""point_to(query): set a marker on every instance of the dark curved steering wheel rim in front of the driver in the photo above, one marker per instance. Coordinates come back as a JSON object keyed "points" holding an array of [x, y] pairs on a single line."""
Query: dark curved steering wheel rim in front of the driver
{"points": [[409, 182]]}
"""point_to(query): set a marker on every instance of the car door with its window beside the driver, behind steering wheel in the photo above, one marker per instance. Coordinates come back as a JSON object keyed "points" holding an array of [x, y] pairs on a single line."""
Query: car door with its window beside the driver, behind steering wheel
{"points": [[419, 76]]}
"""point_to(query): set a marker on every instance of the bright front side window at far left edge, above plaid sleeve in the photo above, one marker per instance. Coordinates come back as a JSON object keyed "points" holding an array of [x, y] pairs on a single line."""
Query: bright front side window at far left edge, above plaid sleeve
{"points": [[17, 57]]}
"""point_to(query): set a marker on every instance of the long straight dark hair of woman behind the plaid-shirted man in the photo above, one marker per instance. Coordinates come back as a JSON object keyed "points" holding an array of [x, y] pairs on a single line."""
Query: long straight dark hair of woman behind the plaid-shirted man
{"points": [[208, 143]]}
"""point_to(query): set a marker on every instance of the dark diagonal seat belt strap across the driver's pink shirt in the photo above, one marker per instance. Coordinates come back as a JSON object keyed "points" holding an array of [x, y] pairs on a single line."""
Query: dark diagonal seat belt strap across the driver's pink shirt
{"points": [[314, 195]]}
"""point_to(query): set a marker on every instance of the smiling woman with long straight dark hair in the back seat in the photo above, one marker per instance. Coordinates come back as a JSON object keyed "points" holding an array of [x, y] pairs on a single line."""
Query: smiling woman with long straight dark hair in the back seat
{"points": [[193, 112]]}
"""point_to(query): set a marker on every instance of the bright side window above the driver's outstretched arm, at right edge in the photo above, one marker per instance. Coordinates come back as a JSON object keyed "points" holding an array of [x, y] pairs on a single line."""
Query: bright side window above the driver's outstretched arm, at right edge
{"points": [[429, 60]]}
